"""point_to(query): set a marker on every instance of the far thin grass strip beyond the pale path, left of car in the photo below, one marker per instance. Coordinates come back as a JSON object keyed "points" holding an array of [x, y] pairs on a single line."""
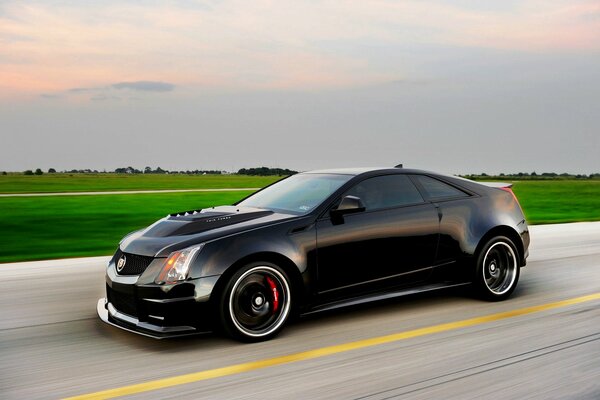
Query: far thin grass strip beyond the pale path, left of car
{"points": [[47, 183]]}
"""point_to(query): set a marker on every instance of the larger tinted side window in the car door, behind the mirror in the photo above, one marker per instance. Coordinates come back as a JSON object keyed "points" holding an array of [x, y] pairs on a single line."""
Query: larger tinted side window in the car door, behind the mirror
{"points": [[386, 191]]}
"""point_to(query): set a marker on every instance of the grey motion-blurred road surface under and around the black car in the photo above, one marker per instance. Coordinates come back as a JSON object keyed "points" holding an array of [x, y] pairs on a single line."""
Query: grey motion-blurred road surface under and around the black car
{"points": [[52, 345]]}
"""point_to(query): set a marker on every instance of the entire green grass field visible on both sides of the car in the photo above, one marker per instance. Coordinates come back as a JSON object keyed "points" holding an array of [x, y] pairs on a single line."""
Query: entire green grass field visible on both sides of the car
{"points": [[34, 228]]}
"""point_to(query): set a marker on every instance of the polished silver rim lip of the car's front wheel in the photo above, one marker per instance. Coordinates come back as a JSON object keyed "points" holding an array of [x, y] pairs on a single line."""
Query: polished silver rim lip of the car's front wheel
{"points": [[284, 309]]}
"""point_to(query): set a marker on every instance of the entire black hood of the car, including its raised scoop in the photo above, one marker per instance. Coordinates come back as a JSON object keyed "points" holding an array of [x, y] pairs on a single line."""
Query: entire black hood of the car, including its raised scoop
{"points": [[187, 228]]}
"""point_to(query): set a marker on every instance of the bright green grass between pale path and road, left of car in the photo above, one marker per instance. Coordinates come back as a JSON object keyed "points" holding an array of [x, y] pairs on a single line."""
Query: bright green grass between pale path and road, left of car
{"points": [[35, 228]]}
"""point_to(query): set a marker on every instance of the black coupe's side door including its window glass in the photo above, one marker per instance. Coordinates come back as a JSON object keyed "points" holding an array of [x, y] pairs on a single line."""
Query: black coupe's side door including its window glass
{"points": [[392, 242]]}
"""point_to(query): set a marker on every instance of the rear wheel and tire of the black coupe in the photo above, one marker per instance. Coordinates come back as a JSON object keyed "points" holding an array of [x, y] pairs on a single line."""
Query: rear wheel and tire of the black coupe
{"points": [[497, 269]]}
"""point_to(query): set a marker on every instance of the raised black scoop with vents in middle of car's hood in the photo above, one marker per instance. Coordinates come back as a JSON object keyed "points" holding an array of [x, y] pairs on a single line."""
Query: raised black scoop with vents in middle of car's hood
{"points": [[197, 221]]}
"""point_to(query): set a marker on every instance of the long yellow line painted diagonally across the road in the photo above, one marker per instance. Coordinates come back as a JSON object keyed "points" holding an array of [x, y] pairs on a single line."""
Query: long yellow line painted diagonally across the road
{"points": [[324, 351]]}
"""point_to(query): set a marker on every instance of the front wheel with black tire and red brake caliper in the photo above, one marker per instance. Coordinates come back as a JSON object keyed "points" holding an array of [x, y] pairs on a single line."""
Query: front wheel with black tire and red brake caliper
{"points": [[255, 303]]}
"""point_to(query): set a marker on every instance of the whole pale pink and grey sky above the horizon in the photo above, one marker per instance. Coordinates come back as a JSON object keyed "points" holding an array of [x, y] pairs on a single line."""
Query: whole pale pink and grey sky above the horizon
{"points": [[459, 86]]}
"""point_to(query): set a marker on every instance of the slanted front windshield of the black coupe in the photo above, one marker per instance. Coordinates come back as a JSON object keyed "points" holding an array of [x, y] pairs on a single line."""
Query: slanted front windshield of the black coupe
{"points": [[298, 194]]}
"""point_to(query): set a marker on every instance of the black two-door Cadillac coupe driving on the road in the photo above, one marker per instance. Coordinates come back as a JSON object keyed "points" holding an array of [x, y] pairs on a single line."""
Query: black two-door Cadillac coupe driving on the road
{"points": [[311, 242]]}
